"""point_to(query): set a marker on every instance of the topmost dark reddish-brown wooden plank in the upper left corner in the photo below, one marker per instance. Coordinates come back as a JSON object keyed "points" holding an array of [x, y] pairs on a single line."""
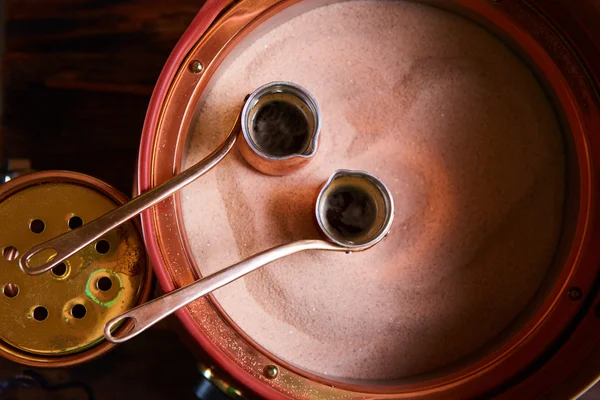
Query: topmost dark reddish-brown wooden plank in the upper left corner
{"points": [[145, 26]]}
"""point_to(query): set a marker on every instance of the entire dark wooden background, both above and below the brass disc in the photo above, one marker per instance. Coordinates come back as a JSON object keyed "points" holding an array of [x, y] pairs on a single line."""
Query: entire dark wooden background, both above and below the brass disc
{"points": [[77, 77]]}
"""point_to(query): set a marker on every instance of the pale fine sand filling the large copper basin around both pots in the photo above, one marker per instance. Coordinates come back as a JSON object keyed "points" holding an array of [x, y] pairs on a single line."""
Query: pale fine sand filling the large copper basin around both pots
{"points": [[465, 139]]}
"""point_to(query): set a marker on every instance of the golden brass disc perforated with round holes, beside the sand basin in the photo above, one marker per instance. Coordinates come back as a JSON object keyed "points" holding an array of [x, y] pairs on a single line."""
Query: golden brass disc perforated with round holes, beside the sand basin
{"points": [[64, 311]]}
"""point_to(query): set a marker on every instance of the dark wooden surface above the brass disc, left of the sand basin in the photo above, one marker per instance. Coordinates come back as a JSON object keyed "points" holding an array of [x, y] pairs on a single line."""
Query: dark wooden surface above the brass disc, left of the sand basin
{"points": [[78, 75]]}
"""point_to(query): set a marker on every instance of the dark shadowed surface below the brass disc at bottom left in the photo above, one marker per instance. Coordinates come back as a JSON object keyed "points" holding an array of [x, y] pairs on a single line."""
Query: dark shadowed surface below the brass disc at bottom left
{"points": [[155, 365]]}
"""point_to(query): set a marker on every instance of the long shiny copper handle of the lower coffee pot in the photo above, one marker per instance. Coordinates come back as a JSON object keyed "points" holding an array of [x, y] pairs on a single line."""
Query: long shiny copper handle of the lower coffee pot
{"points": [[150, 313]]}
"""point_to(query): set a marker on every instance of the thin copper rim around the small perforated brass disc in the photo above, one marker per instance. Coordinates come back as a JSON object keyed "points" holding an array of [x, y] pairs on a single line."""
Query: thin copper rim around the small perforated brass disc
{"points": [[104, 346]]}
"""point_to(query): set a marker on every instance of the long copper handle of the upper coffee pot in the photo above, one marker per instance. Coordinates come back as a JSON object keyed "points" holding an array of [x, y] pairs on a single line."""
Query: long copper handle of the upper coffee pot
{"points": [[69, 243]]}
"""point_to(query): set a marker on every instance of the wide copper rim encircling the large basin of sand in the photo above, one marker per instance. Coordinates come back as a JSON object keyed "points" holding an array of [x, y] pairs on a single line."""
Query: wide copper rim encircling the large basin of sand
{"points": [[540, 355]]}
